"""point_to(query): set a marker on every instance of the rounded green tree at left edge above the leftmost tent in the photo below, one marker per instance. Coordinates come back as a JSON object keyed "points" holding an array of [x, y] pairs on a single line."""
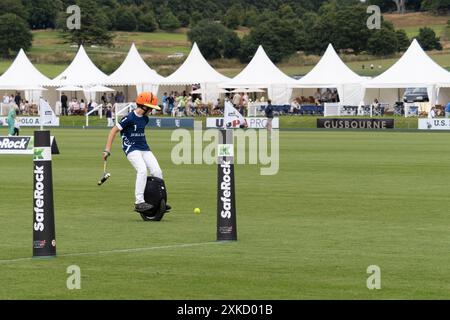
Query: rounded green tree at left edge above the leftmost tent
{"points": [[14, 34]]}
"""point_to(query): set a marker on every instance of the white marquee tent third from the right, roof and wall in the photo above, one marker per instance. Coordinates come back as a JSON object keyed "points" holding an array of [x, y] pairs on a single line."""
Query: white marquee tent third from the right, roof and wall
{"points": [[262, 73]]}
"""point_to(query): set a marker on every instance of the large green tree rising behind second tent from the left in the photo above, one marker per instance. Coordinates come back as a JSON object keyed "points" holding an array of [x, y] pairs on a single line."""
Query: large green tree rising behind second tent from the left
{"points": [[94, 26]]}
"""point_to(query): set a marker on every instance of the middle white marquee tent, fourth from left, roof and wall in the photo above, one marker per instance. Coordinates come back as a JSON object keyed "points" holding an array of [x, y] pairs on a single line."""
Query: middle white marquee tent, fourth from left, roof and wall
{"points": [[195, 70]]}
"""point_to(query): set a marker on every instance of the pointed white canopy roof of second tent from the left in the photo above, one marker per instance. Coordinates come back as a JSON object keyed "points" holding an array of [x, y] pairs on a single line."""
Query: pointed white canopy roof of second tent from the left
{"points": [[81, 72]]}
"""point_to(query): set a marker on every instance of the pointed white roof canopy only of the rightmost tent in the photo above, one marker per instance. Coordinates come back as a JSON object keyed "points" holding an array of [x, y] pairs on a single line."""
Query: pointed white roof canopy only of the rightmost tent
{"points": [[414, 69]]}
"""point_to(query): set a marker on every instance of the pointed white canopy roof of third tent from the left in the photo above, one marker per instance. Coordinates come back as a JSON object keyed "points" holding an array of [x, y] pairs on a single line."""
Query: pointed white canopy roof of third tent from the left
{"points": [[133, 71]]}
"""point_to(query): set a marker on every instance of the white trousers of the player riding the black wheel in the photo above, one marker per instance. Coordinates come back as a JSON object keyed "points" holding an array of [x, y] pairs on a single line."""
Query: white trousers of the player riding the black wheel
{"points": [[143, 162]]}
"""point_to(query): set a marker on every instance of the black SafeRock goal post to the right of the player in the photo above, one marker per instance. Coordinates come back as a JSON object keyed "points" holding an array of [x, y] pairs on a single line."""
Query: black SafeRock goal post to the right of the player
{"points": [[226, 204]]}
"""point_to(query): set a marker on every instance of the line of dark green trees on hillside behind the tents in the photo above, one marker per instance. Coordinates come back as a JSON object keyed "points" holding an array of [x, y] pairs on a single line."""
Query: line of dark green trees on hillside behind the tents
{"points": [[283, 27]]}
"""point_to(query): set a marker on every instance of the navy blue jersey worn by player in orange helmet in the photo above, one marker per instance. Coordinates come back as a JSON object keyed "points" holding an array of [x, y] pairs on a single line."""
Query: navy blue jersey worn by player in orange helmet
{"points": [[132, 130]]}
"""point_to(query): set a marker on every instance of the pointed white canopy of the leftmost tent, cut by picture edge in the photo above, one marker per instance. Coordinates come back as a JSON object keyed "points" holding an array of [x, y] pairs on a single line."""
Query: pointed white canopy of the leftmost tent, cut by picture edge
{"points": [[22, 75]]}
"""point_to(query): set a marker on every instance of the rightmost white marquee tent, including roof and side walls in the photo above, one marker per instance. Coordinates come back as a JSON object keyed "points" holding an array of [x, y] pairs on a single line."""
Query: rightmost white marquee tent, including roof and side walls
{"points": [[415, 69]]}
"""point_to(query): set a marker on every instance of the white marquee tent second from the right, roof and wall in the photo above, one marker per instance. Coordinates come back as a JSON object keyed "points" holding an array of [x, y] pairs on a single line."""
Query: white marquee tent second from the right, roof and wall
{"points": [[332, 72]]}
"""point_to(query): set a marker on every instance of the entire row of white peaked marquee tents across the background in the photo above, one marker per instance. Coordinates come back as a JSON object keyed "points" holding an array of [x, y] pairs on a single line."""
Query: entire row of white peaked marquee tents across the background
{"points": [[415, 69]]}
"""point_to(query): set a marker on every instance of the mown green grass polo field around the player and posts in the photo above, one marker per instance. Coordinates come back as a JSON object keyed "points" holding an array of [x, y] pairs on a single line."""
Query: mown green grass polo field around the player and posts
{"points": [[341, 201]]}
